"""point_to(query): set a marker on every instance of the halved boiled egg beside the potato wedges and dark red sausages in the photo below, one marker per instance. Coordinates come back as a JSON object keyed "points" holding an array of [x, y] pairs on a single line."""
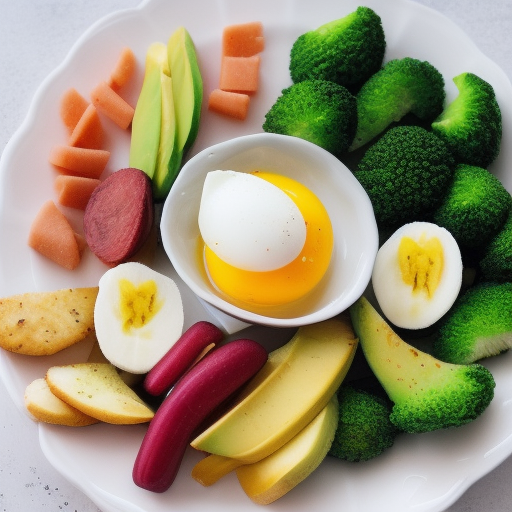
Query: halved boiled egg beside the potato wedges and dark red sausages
{"points": [[138, 316]]}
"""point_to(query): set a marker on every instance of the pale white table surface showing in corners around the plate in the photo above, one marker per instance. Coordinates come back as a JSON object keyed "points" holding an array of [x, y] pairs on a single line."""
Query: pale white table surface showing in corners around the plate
{"points": [[35, 36]]}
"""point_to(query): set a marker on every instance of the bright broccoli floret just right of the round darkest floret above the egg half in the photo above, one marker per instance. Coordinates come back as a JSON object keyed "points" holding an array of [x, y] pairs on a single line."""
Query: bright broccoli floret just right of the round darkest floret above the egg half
{"points": [[474, 207]]}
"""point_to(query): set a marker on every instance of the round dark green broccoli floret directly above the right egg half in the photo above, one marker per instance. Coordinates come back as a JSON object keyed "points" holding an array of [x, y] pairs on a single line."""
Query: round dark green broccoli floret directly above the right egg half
{"points": [[405, 174]]}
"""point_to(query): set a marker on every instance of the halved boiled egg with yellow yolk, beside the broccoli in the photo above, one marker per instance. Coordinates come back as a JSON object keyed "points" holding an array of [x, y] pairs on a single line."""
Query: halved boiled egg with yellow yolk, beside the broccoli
{"points": [[417, 275]]}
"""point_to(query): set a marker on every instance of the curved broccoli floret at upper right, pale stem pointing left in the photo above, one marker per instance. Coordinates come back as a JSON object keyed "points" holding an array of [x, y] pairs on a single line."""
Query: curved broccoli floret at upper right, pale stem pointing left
{"points": [[471, 124]]}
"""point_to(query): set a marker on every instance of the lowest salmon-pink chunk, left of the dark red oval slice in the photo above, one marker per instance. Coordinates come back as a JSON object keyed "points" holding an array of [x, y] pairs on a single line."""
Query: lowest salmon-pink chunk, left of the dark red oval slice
{"points": [[52, 236]]}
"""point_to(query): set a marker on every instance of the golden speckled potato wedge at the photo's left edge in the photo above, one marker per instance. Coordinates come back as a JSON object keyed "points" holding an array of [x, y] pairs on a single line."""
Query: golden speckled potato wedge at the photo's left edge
{"points": [[42, 323]]}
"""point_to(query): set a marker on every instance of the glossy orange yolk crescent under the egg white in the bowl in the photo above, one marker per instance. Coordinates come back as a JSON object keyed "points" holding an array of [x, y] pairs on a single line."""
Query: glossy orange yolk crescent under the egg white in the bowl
{"points": [[294, 280]]}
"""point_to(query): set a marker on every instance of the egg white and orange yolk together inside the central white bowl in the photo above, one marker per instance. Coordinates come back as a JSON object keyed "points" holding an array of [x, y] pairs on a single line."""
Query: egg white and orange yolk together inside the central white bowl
{"points": [[268, 239]]}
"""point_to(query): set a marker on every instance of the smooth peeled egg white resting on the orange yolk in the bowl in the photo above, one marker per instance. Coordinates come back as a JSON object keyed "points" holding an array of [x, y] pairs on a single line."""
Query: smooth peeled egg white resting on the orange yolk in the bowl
{"points": [[250, 223]]}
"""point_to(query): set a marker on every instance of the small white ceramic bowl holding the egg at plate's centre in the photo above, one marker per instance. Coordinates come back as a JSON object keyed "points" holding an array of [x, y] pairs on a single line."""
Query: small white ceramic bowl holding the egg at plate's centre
{"points": [[349, 208]]}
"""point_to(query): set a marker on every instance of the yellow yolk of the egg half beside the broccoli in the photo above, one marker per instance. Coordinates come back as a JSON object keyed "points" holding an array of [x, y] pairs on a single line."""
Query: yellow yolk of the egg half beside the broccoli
{"points": [[421, 264]]}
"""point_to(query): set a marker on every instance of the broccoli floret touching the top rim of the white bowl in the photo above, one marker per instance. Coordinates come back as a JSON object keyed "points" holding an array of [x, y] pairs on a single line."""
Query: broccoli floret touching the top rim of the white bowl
{"points": [[319, 111]]}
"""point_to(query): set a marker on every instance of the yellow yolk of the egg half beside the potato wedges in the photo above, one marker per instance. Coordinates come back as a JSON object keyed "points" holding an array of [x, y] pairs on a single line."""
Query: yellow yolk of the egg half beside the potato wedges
{"points": [[137, 304]]}
